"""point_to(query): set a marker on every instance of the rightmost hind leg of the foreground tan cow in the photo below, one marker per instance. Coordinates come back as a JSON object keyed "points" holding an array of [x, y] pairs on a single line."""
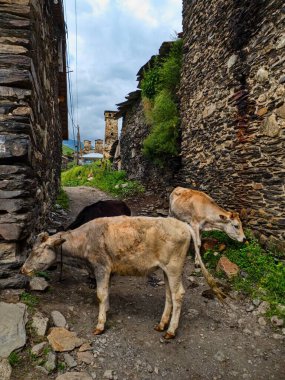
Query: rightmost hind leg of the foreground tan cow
{"points": [[177, 294]]}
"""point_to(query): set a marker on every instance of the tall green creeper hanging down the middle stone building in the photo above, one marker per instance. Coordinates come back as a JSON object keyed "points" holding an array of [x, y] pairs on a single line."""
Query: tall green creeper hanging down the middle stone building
{"points": [[159, 89]]}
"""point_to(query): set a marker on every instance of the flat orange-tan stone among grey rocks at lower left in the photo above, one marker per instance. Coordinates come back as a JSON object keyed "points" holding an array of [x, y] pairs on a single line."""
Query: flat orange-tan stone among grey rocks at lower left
{"points": [[63, 340]]}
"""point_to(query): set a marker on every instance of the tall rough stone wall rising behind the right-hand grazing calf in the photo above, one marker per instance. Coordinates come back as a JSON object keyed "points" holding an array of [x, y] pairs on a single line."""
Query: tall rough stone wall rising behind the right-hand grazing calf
{"points": [[232, 108]]}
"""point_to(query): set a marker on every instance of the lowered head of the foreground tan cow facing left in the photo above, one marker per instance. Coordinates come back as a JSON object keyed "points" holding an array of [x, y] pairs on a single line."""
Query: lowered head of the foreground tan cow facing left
{"points": [[43, 254]]}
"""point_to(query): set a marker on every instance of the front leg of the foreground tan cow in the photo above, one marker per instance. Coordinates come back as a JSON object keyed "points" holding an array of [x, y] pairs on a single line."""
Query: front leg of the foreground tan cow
{"points": [[103, 280]]}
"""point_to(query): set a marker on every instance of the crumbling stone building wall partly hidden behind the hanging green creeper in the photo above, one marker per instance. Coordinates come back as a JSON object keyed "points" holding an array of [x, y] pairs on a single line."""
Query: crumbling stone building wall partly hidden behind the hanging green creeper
{"points": [[134, 132]]}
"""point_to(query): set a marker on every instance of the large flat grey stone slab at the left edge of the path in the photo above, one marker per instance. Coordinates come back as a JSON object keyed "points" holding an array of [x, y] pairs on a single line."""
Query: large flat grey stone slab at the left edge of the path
{"points": [[12, 327]]}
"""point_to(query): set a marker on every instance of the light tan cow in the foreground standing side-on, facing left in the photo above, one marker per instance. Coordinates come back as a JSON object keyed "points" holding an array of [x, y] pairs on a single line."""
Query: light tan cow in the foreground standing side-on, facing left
{"points": [[127, 246]]}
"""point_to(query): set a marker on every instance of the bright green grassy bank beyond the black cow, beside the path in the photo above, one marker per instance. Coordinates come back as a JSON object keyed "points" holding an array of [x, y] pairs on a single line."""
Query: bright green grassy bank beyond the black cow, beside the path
{"points": [[103, 177]]}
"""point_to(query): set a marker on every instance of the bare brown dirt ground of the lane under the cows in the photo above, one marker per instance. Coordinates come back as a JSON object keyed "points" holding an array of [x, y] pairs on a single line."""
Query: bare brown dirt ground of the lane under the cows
{"points": [[213, 342]]}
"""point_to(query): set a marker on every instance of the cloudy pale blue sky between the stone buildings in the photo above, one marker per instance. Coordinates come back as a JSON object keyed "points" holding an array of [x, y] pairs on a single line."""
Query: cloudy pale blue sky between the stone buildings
{"points": [[114, 39]]}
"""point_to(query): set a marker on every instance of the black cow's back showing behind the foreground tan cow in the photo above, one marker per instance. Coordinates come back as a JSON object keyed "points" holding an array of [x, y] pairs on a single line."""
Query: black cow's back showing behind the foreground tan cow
{"points": [[100, 209]]}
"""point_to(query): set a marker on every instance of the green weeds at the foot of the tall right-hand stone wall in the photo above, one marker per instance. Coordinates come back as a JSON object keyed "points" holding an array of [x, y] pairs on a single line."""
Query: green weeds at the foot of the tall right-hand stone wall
{"points": [[262, 274]]}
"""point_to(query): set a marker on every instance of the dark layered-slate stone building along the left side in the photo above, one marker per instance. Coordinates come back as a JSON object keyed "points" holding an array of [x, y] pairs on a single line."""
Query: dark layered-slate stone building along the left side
{"points": [[33, 121]]}
